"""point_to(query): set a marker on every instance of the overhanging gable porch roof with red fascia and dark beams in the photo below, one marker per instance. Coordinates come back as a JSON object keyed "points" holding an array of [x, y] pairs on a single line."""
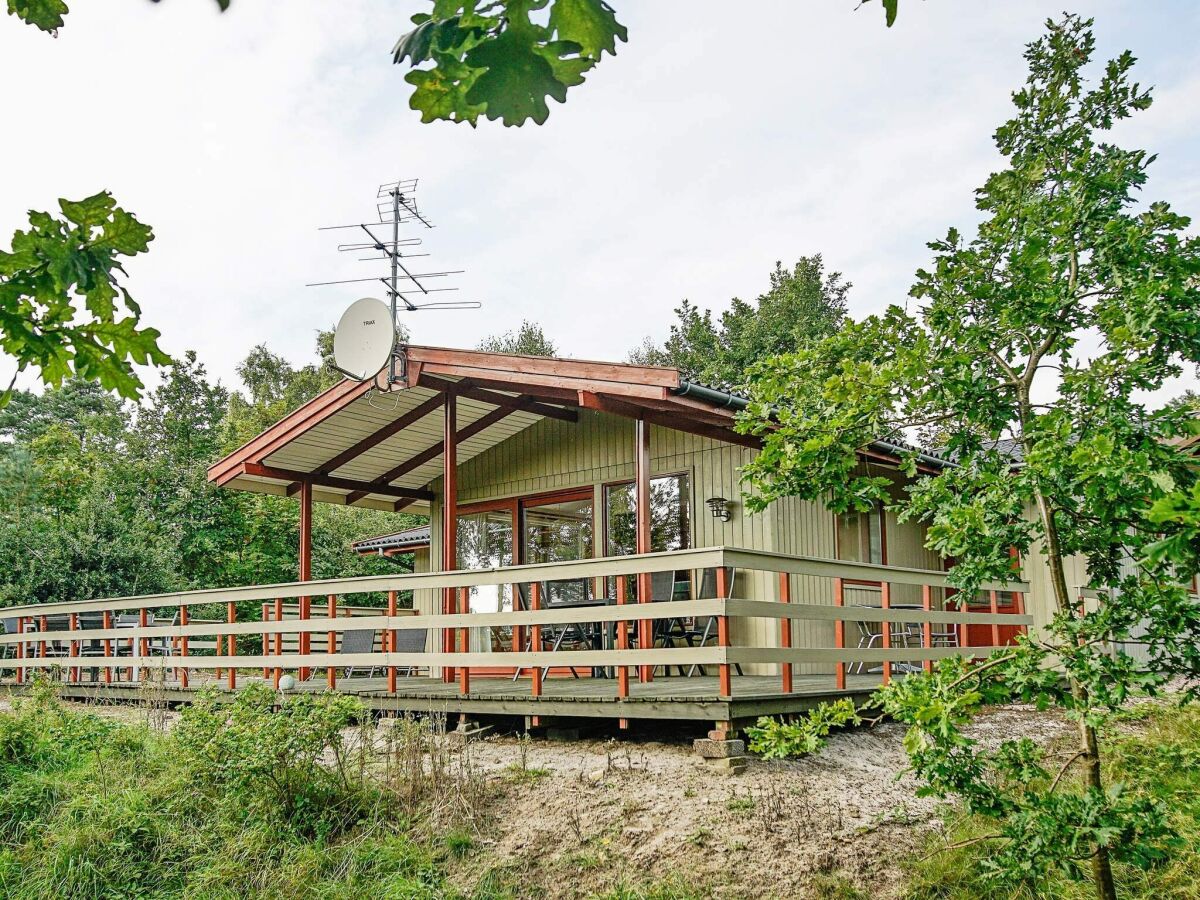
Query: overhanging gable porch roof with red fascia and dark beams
{"points": [[364, 446]]}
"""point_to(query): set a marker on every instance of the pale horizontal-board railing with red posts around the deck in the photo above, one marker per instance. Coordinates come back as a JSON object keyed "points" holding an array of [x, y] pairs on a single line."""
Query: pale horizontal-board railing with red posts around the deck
{"points": [[80, 647]]}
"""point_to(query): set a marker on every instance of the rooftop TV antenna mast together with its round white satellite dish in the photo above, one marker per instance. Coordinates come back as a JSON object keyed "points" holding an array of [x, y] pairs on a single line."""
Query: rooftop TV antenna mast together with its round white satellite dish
{"points": [[395, 206]]}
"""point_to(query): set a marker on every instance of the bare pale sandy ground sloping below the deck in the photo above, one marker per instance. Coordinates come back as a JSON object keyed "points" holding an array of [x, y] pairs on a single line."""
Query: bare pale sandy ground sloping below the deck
{"points": [[574, 819]]}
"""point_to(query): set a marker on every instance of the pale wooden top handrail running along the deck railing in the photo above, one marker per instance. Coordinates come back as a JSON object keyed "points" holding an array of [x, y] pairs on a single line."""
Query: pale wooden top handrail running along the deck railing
{"points": [[578, 569]]}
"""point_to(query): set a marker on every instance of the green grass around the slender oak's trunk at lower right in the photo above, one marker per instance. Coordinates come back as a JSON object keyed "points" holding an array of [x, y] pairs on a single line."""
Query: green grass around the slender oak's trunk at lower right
{"points": [[1157, 753]]}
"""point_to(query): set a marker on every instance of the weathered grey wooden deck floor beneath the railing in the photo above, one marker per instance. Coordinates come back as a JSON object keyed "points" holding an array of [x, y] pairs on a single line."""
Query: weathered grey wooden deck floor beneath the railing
{"points": [[676, 698]]}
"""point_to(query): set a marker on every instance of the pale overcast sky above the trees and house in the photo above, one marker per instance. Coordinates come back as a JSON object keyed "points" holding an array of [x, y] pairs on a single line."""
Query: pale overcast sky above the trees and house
{"points": [[722, 137]]}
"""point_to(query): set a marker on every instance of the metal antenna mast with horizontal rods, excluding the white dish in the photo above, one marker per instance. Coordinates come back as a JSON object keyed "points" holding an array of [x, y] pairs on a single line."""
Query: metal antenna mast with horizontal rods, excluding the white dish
{"points": [[397, 206]]}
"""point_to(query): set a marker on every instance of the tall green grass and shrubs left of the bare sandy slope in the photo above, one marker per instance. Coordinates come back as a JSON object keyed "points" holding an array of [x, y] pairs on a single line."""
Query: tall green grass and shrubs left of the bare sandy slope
{"points": [[236, 802]]}
